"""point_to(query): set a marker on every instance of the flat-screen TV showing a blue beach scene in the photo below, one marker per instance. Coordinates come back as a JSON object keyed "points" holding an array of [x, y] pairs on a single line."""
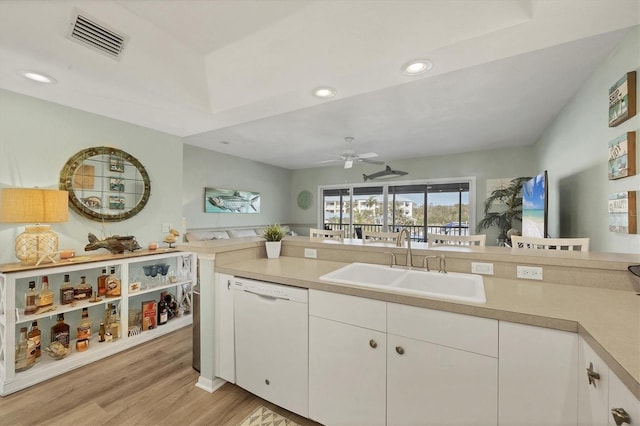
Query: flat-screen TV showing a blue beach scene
{"points": [[535, 206]]}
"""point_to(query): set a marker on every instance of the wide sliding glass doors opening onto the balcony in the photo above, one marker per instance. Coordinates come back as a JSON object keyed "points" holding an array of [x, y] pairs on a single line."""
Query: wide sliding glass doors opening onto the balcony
{"points": [[439, 206]]}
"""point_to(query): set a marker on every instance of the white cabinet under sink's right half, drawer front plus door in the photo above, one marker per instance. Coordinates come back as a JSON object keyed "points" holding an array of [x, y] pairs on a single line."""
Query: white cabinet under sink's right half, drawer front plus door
{"points": [[434, 377]]}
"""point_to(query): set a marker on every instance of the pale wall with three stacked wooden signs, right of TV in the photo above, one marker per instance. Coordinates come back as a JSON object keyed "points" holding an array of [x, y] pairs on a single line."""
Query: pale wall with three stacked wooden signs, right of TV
{"points": [[575, 152]]}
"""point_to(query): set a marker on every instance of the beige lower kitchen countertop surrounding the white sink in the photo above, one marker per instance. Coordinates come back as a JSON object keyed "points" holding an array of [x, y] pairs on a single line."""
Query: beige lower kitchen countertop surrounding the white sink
{"points": [[609, 320]]}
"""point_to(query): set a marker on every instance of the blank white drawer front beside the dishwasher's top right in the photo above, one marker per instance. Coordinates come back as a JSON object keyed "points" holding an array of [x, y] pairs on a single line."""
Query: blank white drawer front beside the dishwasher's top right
{"points": [[353, 310]]}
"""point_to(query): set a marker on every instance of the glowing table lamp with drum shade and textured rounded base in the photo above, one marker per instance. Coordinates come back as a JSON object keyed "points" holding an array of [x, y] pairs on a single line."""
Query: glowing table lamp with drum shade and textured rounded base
{"points": [[38, 243]]}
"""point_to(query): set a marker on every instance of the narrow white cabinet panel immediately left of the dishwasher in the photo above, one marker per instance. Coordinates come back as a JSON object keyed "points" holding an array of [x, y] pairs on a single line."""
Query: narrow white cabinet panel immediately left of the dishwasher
{"points": [[225, 364]]}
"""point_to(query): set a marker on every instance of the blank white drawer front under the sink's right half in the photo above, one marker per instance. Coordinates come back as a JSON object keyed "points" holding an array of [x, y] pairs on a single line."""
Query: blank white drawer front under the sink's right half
{"points": [[473, 334]]}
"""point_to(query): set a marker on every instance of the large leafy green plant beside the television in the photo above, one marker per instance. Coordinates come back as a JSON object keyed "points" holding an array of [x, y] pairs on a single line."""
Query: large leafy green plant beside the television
{"points": [[511, 198]]}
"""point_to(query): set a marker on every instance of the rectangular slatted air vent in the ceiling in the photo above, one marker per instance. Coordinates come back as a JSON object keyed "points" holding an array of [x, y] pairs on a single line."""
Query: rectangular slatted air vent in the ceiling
{"points": [[97, 36]]}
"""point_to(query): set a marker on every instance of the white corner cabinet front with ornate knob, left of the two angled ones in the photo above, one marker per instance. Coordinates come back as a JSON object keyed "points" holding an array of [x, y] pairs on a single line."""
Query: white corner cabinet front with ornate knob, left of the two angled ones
{"points": [[593, 398]]}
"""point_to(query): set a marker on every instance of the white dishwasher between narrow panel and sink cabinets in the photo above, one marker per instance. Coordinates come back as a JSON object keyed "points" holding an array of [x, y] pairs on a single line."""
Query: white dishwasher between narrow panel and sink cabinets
{"points": [[271, 342]]}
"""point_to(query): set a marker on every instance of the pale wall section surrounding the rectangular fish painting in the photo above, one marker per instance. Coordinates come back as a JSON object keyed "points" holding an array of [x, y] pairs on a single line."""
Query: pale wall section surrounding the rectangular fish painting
{"points": [[204, 168]]}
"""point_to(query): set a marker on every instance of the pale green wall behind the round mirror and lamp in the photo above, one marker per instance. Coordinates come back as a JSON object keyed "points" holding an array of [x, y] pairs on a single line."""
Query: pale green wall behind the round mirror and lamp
{"points": [[38, 137]]}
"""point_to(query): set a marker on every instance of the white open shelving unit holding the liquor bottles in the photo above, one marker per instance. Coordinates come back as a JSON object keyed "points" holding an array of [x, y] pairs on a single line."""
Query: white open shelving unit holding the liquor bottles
{"points": [[14, 282]]}
